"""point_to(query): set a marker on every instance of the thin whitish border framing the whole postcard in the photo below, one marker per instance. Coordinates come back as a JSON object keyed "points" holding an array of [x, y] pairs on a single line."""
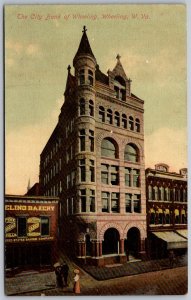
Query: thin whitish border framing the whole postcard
{"points": [[2, 3]]}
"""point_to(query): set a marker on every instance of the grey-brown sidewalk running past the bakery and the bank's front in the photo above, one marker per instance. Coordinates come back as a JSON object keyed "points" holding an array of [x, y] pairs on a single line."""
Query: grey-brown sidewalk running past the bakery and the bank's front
{"points": [[45, 282]]}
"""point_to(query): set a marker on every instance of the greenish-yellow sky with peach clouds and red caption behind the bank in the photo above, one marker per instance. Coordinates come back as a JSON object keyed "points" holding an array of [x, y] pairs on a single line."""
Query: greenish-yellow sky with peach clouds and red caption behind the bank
{"points": [[40, 43]]}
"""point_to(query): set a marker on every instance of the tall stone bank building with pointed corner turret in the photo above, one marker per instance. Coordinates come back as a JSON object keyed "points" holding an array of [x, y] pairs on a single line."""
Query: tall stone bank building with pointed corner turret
{"points": [[94, 160]]}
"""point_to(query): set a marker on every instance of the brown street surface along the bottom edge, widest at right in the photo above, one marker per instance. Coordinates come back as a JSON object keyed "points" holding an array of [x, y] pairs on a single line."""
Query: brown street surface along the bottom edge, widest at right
{"points": [[165, 282]]}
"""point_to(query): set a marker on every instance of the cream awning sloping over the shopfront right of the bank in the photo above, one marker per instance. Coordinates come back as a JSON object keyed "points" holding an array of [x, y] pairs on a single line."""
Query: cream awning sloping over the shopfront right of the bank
{"points": [[173, 240]]}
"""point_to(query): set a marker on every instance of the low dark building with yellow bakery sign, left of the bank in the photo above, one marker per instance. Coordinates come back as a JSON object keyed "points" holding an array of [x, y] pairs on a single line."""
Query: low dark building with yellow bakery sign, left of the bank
{"points": [[31, 231]]}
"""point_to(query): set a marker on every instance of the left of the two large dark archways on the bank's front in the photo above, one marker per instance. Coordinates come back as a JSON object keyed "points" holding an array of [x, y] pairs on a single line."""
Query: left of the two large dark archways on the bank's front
{"points": [[110, 245]]}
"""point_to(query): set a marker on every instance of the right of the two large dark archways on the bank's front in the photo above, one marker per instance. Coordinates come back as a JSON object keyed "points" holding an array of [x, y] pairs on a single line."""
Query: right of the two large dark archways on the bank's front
{"points": [[132, 243]]}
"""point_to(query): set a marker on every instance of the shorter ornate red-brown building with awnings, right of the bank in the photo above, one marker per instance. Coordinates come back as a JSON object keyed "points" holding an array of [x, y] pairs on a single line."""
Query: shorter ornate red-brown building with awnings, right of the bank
{"points": [[166, 194]]}
